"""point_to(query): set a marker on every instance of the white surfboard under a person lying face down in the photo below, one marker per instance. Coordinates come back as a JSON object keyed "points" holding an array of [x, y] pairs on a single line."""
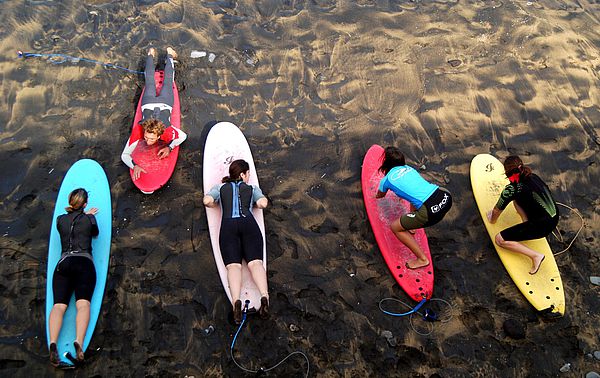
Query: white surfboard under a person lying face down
{"points": [[224, 144]]}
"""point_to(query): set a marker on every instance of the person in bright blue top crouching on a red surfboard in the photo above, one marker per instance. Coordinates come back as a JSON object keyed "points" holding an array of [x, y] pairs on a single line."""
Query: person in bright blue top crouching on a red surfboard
{"points": [[429, 202]]}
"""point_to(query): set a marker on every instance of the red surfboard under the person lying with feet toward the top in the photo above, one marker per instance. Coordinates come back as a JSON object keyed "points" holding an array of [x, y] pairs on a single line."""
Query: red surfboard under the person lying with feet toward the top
{"points": [[158, 171]]}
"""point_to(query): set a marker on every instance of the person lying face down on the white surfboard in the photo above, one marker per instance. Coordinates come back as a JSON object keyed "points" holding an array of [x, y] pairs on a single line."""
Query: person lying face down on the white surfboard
{"points": [[240, 236]]}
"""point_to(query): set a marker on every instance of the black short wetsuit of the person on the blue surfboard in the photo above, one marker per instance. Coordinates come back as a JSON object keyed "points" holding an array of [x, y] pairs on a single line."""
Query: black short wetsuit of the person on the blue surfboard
{"points": [[75, 271]]}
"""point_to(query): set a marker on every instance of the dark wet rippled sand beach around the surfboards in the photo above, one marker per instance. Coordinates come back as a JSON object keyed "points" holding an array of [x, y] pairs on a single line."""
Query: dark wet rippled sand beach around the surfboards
{"points": [[312, 84]]}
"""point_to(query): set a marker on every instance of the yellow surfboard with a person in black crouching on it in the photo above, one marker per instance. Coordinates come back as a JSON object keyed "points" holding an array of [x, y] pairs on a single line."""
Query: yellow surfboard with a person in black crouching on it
{"points": [[544, 290]]}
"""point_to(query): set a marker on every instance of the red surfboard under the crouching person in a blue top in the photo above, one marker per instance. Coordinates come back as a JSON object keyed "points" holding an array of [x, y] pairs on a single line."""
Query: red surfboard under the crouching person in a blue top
{"points": [[417, 283]]}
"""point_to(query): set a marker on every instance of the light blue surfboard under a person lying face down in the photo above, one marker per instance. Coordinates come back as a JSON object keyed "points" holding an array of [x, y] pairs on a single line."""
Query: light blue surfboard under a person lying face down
{"points": [[87, 174]]}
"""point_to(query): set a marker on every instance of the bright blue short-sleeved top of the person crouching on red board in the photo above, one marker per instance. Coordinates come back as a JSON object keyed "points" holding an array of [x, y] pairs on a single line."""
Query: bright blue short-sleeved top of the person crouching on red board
{"points": [[407, 183]]}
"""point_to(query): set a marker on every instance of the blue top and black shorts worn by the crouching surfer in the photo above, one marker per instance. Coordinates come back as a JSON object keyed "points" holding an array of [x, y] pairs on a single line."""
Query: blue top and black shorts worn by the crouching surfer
{"points": [[430, 201]]}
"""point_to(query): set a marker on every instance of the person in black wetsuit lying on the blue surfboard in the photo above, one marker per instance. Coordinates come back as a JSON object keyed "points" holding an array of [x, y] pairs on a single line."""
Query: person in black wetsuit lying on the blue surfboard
{"points": [[75, 271]]}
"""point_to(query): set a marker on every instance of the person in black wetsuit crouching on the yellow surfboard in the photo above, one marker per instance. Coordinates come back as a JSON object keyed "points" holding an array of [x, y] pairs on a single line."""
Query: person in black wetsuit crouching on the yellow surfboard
{"points": [[535, 205]]}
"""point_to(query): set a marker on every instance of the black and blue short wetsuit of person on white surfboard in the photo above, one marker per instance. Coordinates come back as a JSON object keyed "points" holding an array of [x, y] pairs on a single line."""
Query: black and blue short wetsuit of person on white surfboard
{"points": [[239, 237]]}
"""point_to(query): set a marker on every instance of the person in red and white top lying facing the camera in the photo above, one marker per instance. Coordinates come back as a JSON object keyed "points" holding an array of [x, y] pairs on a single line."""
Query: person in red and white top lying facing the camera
{"points": [[156, 114]]}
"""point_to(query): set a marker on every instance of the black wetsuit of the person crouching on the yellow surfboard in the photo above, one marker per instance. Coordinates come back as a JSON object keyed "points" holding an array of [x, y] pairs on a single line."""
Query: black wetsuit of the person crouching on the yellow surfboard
{"points": [[534, 197]]}
